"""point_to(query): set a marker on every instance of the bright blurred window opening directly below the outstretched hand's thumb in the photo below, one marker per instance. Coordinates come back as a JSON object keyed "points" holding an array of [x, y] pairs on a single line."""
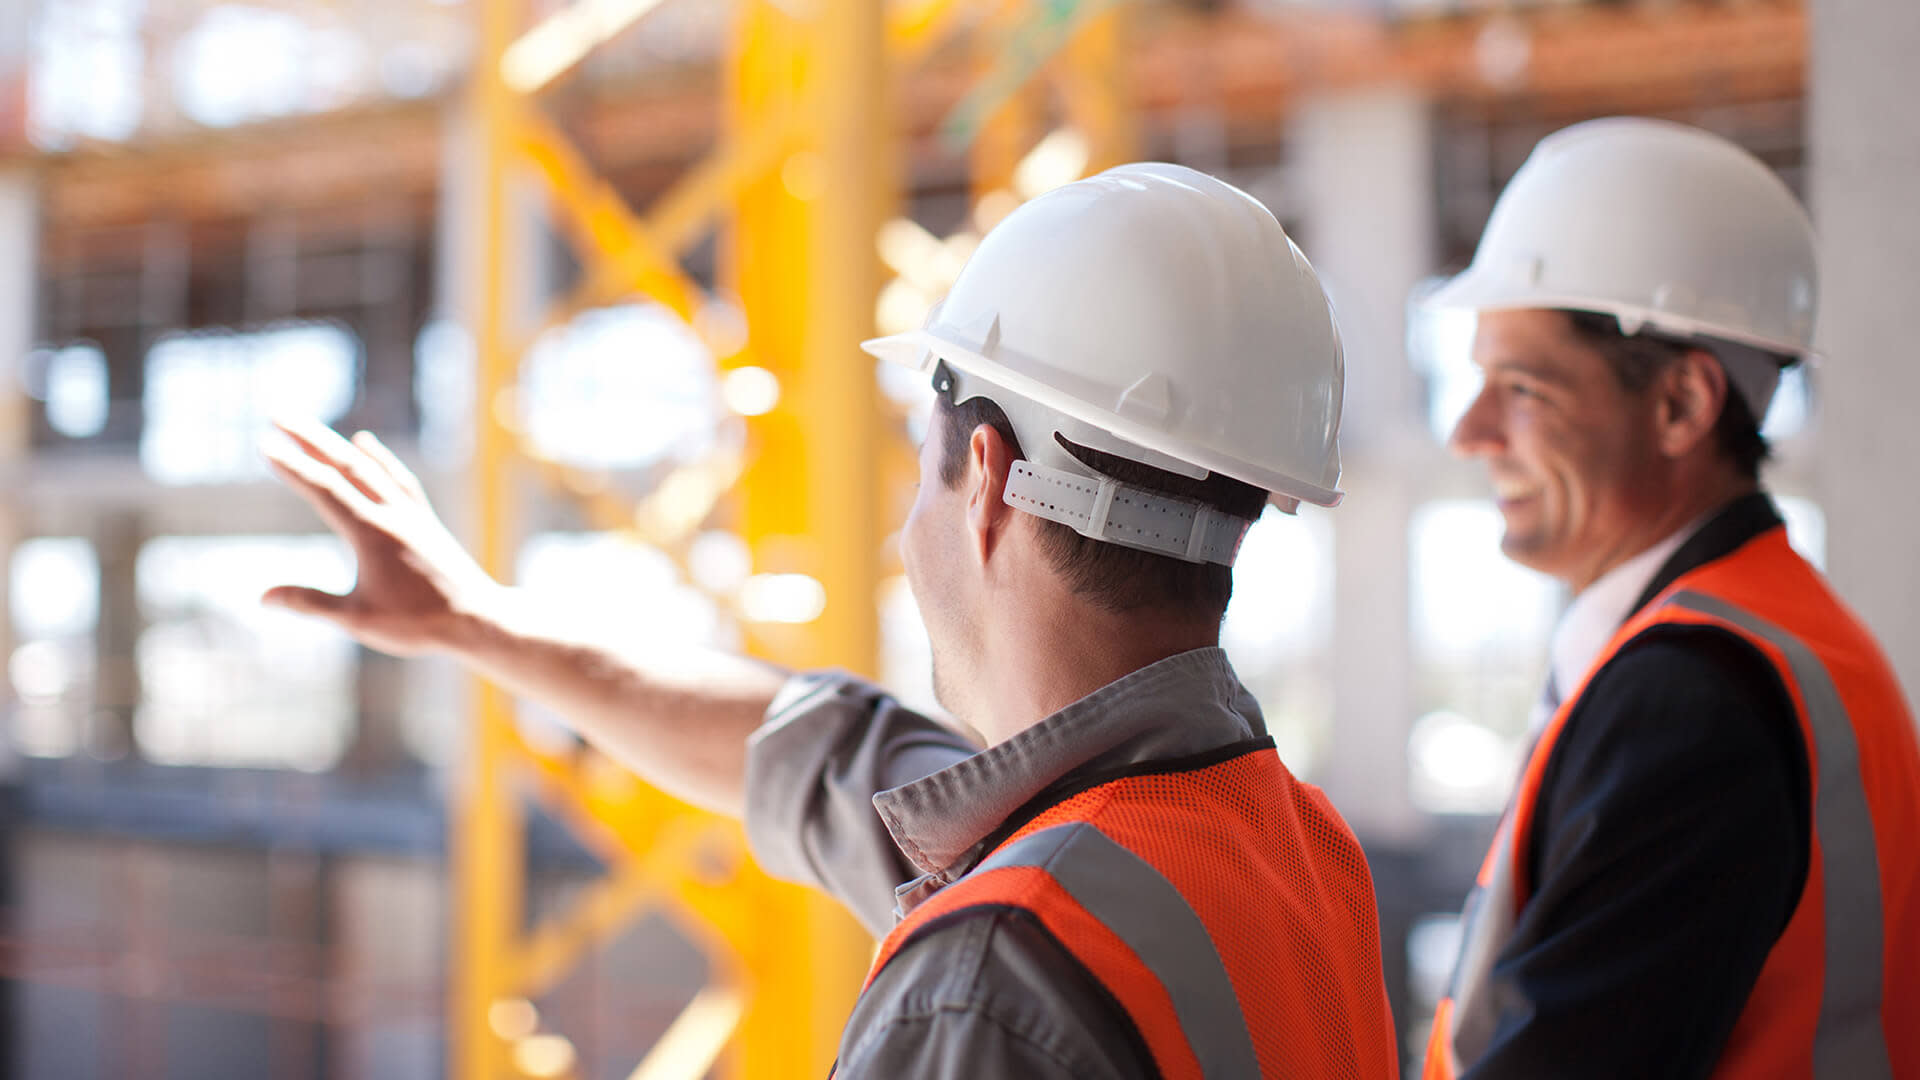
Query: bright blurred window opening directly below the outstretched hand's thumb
{"points": [[228, 681]]}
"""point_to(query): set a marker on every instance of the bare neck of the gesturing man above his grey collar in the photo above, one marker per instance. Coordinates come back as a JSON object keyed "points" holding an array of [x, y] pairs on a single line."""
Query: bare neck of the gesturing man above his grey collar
{"points": [[1053, 650]]}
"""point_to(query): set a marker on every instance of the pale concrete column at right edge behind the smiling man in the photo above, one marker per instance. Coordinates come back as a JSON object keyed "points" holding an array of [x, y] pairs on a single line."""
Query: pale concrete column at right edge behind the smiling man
{"points": [[1865, 170]]}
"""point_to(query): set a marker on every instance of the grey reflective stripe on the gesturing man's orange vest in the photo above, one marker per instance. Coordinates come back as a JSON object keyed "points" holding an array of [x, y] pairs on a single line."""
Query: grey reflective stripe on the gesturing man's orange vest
{"points": [[1145, 912]]}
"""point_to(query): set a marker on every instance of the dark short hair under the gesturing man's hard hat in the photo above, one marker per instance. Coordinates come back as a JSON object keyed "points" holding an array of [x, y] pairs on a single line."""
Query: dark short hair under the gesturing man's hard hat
{"points": [[1111, 576]]}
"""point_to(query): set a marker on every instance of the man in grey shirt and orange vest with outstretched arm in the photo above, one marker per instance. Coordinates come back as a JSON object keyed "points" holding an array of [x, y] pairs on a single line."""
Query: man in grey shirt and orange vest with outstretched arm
{"points": [[1124, 881]]}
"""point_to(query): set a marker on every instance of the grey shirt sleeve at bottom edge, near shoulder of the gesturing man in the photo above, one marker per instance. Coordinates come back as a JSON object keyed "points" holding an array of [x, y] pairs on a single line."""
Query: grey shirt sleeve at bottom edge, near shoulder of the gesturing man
{"points": [[990, 996]]}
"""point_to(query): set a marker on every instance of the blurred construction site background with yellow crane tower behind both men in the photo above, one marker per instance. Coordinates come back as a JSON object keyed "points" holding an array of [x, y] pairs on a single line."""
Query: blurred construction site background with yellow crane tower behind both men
{"points": [[598, 270]]}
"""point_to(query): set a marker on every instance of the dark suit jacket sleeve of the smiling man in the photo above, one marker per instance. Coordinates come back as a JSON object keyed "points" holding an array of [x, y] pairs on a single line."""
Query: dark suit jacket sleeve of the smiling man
{"points": [[1669, 850]]}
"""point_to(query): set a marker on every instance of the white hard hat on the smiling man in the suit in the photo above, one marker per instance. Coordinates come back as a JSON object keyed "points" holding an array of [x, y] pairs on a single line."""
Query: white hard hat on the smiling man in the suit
{"points": [[1662, 226]]}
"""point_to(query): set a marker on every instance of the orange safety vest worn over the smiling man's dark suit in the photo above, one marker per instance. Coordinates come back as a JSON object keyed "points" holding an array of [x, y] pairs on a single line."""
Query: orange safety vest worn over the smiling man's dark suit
{"points": [[1840, 991]]}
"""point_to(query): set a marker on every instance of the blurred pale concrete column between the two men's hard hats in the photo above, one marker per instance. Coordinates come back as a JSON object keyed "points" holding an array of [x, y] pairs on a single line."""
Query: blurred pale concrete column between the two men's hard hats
{"points": [[1364, 172]]}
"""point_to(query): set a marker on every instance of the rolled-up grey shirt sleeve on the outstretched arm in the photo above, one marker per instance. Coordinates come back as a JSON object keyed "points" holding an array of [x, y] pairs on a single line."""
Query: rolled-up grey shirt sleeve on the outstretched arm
{"points": [[830, 743]]}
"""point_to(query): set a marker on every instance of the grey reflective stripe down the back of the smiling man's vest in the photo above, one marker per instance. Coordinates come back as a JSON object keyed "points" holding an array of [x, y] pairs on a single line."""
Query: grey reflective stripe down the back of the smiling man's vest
{"points": [[1850, 1041]]}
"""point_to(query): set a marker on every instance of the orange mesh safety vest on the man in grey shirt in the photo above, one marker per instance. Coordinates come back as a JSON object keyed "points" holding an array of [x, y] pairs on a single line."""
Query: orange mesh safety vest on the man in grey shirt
{"points": [[1228, 910]]}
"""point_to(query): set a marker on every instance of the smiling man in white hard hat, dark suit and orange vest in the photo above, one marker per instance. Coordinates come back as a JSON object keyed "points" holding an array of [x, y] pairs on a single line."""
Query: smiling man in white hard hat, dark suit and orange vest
{"points": [[1710, 864]]}
